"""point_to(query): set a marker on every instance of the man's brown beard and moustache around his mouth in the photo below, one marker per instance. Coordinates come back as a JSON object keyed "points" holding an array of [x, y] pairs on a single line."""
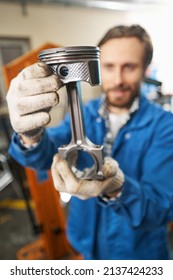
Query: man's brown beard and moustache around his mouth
{"points": [[121, 96]]}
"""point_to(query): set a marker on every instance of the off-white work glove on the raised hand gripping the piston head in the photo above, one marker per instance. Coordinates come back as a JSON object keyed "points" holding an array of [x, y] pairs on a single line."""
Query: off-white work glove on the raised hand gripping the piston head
{"points": [[30, 97]]}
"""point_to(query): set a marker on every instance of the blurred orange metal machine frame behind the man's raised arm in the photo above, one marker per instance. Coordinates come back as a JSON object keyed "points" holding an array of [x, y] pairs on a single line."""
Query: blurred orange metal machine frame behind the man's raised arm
{"points": [[50, 218]]}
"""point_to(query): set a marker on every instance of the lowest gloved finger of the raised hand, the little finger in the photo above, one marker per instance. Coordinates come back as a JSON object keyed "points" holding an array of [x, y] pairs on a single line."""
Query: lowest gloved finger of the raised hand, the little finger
{"points": [[30, 122]]}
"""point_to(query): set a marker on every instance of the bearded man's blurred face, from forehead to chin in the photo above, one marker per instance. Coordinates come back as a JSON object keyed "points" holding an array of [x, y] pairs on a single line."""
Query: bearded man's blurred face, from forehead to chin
{"points": [[122, 70]]}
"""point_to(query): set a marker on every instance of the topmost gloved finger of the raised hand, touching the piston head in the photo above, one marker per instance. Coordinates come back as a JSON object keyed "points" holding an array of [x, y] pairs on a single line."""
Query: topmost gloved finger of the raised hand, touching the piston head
{"points": [[36, 70]]}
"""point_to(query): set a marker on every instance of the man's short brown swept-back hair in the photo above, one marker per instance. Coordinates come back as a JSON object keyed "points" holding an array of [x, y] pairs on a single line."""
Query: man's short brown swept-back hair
{"points": [[124, 31]]}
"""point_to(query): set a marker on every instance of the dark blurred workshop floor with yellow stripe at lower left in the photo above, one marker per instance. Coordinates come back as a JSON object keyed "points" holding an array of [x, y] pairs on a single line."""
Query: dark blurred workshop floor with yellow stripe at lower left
{"points": [[16, 229]]}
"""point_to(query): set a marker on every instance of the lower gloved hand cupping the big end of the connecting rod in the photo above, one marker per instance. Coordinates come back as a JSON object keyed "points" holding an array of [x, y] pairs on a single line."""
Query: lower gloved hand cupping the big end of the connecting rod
{"points": [[66, 181]]}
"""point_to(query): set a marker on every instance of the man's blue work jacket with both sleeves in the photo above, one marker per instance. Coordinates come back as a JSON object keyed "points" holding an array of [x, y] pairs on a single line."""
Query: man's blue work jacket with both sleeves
{"points": [[134, 226]]}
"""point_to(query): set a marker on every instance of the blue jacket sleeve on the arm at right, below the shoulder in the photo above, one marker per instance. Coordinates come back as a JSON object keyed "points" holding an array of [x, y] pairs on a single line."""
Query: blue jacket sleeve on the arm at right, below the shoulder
{"points": [[148, 202]]}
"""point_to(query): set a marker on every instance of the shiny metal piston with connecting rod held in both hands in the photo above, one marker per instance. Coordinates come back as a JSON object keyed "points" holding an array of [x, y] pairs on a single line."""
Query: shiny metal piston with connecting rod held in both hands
{"points": [[72, 65]]}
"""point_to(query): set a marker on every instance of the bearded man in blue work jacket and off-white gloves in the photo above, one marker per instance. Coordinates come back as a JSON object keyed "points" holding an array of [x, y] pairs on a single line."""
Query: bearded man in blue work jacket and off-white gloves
{"points": [[125, 215]]}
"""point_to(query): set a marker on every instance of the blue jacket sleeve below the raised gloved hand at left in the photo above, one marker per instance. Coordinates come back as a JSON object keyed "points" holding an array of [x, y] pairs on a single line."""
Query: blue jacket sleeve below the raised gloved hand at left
{"points": [[40, 157]]}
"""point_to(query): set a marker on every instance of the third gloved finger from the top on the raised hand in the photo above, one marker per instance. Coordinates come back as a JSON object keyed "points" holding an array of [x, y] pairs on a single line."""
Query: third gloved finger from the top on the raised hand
{"points": [[36, 103]]}
